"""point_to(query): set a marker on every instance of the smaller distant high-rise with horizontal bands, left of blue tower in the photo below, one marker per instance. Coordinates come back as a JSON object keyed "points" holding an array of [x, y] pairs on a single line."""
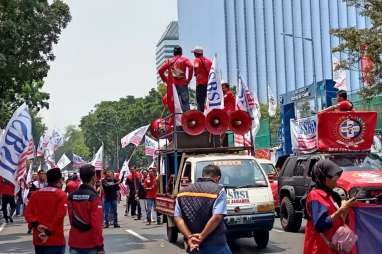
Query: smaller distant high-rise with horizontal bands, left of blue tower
{"points": [[166, 44]]}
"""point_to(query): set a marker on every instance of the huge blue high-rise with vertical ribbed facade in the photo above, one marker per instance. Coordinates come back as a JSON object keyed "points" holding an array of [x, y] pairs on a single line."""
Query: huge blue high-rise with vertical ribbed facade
{"points": [[269, 42]]}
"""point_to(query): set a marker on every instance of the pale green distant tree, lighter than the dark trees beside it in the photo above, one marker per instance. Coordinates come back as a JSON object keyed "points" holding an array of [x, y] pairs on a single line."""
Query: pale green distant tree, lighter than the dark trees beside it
{"points": [[74, 143]]}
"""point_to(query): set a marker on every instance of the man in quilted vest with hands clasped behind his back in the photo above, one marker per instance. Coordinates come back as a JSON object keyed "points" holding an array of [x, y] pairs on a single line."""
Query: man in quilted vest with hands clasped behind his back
{"points": [[199, 213]]}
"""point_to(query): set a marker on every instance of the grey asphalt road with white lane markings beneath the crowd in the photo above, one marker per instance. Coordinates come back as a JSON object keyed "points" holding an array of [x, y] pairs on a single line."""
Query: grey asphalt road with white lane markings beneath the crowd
{"points": [[136, 237]]}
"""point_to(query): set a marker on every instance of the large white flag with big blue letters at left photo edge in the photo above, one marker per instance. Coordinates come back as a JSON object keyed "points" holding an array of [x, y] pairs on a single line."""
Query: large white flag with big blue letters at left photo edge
{"points": [[16, 145]]}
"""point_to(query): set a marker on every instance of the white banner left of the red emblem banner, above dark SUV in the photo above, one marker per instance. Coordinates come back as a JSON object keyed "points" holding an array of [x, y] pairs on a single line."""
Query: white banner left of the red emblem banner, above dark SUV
{"points": [[304, 134]]}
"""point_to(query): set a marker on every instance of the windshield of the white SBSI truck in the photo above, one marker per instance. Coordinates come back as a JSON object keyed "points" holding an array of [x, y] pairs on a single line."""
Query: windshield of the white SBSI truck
{"points": [[236, 173]]}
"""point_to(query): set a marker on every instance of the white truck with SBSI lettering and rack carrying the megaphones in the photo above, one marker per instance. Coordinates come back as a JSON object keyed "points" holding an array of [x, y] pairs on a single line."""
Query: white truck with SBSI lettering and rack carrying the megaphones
{"points": [[250, 203]]}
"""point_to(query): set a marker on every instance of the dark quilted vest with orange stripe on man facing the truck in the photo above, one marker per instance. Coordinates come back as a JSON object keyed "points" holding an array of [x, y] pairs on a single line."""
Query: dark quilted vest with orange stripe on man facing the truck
{"points": [[196, 202]]}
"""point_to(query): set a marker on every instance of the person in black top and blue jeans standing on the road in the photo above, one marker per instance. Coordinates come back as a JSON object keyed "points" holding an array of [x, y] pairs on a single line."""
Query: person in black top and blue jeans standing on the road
{"points": [[110, 188]]}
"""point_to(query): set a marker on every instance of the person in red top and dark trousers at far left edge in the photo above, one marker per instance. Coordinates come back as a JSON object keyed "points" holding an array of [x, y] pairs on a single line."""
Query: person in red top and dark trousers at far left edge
{"points": [[7, 192]]}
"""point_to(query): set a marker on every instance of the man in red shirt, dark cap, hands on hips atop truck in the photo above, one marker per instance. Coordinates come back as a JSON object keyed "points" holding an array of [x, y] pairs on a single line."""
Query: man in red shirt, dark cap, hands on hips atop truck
{"points": [[178, 65]]}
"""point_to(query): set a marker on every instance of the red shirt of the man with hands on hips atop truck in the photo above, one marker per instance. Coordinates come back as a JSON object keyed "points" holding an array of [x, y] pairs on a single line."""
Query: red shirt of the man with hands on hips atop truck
{"points": [[178, 66]]}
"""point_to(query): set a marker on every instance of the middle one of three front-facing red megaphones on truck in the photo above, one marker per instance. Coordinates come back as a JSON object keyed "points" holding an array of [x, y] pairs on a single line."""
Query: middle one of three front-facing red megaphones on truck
{"points": [[217, 121]]}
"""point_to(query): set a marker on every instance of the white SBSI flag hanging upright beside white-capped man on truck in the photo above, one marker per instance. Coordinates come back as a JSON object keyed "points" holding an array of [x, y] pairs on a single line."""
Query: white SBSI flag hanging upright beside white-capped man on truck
{"points": [[215, 97]]}
